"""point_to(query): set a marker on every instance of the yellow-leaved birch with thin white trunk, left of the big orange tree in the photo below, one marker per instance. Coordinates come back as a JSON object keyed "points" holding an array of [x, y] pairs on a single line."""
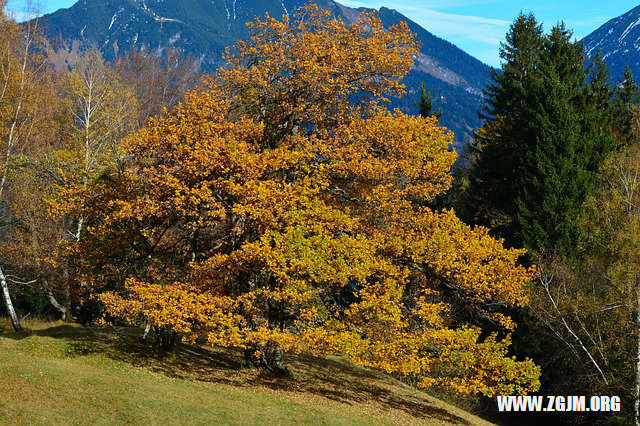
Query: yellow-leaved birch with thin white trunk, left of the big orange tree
{"points": [[99, 110]]}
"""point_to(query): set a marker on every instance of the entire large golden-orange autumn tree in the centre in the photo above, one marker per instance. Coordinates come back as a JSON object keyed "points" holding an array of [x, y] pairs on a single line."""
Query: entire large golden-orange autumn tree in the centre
{"points": [[283, 209]]}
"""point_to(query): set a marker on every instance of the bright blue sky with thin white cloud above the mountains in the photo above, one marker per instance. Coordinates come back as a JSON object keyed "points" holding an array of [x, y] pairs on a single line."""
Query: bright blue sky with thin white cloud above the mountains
{"points": [[476, 26]]}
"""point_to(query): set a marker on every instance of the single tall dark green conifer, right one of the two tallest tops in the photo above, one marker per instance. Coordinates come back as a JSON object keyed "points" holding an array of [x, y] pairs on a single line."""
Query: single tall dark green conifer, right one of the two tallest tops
{"points": [[553, 179]]}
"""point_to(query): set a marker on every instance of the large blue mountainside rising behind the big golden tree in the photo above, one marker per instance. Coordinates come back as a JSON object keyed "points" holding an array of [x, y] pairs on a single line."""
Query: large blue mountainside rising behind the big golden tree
{"points": [[204, 28]]}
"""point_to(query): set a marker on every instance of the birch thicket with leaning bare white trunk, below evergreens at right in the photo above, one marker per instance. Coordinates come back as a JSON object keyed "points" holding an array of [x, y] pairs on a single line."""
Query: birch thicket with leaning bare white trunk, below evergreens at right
{"points": [[592, 307]]}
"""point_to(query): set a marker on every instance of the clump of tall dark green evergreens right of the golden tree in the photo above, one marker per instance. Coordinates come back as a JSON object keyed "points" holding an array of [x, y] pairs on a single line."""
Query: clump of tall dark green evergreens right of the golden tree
{"points": [[548, 127]]}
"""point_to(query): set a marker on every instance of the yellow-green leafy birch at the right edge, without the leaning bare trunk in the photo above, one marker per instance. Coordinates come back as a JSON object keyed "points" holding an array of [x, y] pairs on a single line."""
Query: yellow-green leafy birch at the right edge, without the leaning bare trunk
{"points": [[613, 224]]}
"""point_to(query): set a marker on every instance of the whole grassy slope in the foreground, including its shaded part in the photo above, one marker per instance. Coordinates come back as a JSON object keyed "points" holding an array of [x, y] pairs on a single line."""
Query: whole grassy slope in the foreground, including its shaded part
{"points": [[66, 374]]}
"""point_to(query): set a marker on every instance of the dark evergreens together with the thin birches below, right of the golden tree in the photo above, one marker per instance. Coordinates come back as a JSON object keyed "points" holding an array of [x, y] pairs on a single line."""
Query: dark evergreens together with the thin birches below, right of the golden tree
{"points": [[555, 170]]}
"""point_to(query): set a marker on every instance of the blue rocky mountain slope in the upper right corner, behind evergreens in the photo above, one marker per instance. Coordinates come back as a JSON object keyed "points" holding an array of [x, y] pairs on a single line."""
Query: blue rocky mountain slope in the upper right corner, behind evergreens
{"points": [[619, 41]]}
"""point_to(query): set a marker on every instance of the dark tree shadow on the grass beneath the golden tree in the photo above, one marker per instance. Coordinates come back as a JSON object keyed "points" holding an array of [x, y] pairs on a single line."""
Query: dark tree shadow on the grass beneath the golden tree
{"points": [[332, 379]]}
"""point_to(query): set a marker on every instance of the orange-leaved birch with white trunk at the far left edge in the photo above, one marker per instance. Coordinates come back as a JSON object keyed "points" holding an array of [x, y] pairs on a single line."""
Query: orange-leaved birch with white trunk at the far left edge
{"points": [[25, 114]]}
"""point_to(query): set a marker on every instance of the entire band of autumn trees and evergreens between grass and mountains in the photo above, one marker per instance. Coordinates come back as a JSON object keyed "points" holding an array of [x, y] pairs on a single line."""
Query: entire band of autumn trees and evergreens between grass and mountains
{"points": [[279, 206]]}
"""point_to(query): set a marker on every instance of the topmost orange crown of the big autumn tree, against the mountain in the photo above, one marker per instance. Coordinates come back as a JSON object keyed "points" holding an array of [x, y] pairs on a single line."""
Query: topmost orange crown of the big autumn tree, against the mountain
{"points": [[303, 71]]}
